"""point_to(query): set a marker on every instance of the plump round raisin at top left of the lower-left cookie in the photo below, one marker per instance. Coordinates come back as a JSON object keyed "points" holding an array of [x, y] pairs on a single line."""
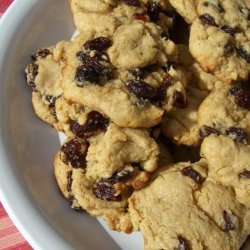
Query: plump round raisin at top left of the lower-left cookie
{"points": [[75, 153]]}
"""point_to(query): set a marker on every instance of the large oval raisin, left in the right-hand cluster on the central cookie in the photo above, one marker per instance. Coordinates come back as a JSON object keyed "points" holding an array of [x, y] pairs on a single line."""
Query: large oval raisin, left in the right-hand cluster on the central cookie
{"points": [[141, 89]]}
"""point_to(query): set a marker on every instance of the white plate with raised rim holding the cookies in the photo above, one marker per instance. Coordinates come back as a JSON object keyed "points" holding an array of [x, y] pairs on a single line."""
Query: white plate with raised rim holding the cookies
{"points": [[27, 146]]}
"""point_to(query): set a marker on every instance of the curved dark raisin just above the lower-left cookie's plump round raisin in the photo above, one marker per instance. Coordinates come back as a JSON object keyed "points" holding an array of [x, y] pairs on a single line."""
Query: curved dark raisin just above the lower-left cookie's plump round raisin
{"points": [[94, 121]]}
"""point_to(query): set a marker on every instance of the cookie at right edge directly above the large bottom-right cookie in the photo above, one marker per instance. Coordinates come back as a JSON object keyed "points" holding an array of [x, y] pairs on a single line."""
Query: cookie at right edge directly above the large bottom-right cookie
{"points": [[229, 164]]}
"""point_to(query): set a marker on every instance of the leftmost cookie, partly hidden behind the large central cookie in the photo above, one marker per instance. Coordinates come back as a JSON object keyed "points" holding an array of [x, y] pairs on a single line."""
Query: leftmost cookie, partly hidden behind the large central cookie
{"points": [[44, 76]]}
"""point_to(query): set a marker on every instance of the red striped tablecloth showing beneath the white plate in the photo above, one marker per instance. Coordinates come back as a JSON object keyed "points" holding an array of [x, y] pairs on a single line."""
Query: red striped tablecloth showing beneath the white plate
{"points": [[10, 238]]}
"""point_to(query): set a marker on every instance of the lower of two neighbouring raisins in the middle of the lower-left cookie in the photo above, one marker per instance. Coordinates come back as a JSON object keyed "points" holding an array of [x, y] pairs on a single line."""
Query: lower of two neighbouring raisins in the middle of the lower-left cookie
{"points": [[105, 192]]}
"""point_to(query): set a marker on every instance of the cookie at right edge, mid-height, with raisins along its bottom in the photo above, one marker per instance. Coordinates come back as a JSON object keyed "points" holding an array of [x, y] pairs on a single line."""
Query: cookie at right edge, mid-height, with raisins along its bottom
{"points": [[226, 111]]}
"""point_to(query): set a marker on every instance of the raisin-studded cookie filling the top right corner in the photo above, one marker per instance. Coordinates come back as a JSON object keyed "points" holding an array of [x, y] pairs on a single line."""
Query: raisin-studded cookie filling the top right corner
{"points": [[219, 39]]}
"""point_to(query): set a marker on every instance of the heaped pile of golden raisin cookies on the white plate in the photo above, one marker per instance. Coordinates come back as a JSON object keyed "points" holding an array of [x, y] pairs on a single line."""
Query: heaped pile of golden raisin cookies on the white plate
{"points": [[154, 99]]}
